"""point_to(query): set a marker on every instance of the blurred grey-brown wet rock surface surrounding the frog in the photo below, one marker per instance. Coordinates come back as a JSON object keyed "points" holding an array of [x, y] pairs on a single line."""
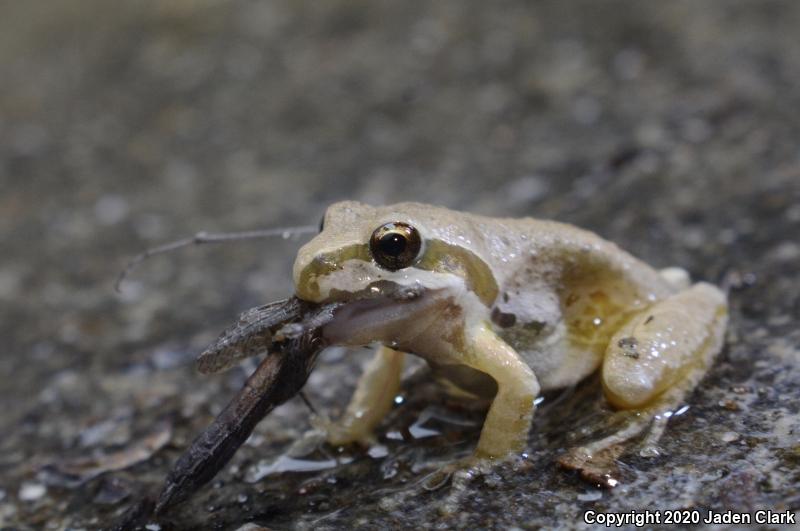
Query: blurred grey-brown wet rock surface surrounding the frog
{"points": [[671, 128]]}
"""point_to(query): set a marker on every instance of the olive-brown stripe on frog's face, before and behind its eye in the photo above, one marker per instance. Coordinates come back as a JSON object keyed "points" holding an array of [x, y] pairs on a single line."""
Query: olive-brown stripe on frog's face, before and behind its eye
{"points": [[439, 257]]}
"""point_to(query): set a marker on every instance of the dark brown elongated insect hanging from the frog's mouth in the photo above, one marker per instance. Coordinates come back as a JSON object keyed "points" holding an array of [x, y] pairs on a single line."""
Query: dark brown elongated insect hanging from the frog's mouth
{"points": [[281, 374]]}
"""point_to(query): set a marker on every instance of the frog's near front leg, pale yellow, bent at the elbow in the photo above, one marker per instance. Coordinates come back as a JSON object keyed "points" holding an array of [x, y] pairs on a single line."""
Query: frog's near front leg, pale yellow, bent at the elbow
{"points": [[508, 420]]}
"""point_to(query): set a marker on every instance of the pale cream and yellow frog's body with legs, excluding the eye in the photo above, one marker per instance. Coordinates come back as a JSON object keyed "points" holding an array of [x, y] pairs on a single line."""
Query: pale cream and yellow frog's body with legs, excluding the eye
{"points": [[534, 305]]}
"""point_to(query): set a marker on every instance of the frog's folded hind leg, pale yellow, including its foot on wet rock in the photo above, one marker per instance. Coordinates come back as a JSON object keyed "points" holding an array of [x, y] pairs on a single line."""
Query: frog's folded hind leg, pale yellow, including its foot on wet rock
{"points": [[652, 362]]}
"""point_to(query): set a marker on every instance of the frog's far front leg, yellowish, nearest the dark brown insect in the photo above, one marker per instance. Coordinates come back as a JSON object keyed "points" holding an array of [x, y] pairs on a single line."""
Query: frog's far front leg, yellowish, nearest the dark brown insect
{"points": [[372, 399]]}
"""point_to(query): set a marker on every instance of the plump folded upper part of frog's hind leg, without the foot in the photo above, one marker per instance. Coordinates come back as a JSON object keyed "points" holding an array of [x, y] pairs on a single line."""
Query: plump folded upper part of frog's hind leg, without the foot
{"points": [[664, 351]]}
